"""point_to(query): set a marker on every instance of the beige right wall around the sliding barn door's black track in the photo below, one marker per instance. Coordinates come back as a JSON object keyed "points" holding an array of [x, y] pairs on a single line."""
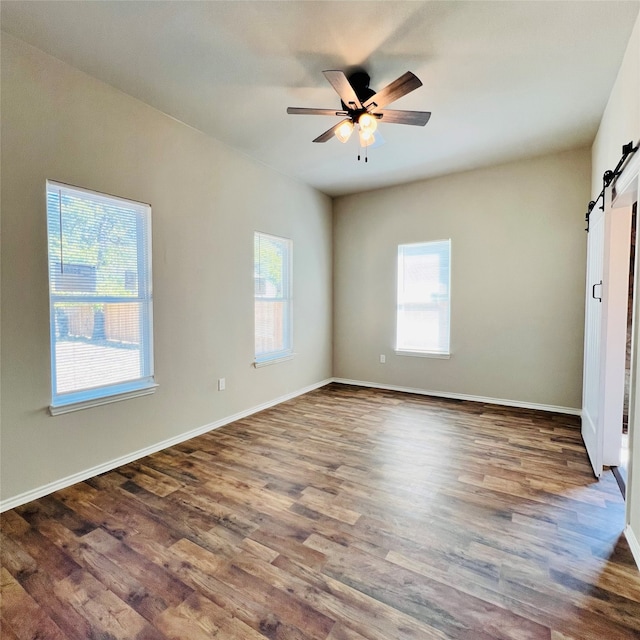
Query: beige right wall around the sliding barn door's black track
{"points": [[621, 124]]}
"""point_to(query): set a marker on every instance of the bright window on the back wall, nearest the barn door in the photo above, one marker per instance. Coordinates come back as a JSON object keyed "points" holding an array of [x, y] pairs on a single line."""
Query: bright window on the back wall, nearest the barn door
{"points": [[423, 305]]}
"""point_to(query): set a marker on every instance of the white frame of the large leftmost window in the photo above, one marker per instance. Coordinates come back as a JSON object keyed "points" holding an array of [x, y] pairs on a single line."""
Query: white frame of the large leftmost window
{"points": [[144, 384]]}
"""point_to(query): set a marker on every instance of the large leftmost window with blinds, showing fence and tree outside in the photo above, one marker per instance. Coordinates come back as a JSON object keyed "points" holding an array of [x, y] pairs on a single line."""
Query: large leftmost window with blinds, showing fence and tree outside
{"points": [[99, 297]]}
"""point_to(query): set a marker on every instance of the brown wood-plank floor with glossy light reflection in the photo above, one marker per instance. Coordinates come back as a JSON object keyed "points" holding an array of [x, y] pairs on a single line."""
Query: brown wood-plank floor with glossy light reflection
{"points": [[345, 514]]}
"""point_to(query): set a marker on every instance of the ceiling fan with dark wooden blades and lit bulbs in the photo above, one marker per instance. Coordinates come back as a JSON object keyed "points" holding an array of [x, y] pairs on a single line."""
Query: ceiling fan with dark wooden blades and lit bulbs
{"points": [[363, 107]]}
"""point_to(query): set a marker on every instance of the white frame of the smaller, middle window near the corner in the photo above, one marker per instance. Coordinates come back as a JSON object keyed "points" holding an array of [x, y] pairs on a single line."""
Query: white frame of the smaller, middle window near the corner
{"points": [[286, 353]]}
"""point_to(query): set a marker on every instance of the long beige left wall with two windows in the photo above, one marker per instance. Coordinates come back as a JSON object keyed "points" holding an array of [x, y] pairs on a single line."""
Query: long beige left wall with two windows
{"points": [[207, 200]]}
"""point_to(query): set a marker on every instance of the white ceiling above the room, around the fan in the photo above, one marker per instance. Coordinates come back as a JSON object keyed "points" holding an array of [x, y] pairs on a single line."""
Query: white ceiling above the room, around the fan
{"points": [[503, 79]]}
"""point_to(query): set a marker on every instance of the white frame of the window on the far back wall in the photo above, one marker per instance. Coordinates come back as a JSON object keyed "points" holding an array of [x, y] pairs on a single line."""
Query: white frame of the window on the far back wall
{"points": [[402, 347]]}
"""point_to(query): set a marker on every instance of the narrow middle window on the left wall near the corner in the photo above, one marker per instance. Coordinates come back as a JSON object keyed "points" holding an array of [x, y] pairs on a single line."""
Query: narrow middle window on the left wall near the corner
{"points": [[272, 295]]}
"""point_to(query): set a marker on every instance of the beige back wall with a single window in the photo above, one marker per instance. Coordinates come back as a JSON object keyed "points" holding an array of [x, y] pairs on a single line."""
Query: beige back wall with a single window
{"points": [[518, 269]]}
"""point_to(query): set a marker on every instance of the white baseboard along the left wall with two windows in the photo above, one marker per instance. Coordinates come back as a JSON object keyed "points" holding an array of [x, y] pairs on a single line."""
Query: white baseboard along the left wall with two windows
{"points": [[46, 489]]}
